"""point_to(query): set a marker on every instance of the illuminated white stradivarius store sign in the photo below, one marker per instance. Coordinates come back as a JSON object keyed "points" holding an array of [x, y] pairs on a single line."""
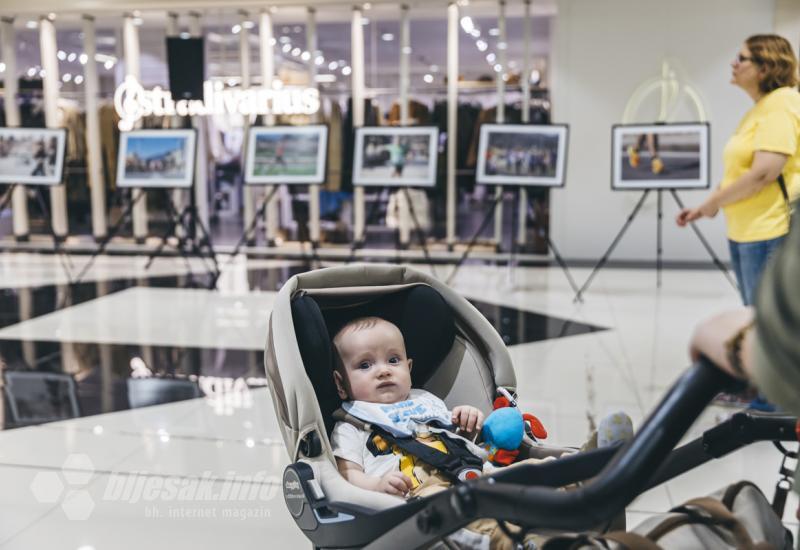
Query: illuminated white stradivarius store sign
{"points": [[133, 102]]}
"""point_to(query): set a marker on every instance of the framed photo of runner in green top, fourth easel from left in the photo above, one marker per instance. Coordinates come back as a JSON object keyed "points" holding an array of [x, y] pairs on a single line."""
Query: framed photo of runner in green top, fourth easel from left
{"points": [[387, 156]]}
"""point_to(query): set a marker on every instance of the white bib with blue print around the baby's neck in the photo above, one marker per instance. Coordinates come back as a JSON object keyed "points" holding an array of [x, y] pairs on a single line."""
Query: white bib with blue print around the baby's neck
{"points": [[402, 418]]}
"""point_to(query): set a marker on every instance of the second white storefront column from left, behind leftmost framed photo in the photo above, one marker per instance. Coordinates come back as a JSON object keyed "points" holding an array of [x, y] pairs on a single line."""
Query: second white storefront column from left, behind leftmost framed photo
{"points": [[48, 47]]}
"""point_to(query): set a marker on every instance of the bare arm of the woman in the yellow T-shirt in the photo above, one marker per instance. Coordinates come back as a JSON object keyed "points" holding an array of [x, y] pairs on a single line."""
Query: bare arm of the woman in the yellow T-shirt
{"points": [[766, 168]]}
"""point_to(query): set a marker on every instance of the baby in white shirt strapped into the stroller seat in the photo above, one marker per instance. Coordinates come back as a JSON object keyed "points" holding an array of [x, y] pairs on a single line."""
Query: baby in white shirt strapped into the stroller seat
{"points": [[372, 367]]}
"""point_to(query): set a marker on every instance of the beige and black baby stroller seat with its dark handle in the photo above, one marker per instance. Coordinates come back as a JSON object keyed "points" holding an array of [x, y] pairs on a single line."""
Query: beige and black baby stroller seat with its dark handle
{"points": [[460, 357]]}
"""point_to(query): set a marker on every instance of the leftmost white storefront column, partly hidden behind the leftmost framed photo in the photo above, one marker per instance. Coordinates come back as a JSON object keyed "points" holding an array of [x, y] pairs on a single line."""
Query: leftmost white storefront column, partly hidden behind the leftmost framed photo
{"points": [[19, 202]]}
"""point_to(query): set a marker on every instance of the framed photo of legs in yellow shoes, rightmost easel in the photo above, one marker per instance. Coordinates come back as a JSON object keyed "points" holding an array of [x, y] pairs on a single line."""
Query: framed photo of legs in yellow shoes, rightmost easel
{"points": [[660, 156]]}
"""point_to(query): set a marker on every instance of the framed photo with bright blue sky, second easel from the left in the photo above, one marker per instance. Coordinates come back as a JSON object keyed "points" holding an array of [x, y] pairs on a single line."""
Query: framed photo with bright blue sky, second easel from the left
{"points": [[156, 158]]}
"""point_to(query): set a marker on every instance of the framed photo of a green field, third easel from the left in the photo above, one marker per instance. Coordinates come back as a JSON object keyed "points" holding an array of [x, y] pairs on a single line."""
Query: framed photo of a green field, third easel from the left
{"points": [[286, 154]]}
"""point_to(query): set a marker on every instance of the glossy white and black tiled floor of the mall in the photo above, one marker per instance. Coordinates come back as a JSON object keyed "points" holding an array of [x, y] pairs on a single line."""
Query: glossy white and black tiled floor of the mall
{"points": [[203, 473]]}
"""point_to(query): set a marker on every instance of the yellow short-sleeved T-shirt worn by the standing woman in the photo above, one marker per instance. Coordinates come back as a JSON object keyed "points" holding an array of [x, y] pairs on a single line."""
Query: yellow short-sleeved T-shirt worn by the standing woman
{"points": [[773, 124]]}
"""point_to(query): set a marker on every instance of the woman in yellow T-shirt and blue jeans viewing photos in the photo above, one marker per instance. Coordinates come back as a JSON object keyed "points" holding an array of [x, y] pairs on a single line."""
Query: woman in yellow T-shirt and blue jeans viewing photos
{"points": [[764, 147]]}
